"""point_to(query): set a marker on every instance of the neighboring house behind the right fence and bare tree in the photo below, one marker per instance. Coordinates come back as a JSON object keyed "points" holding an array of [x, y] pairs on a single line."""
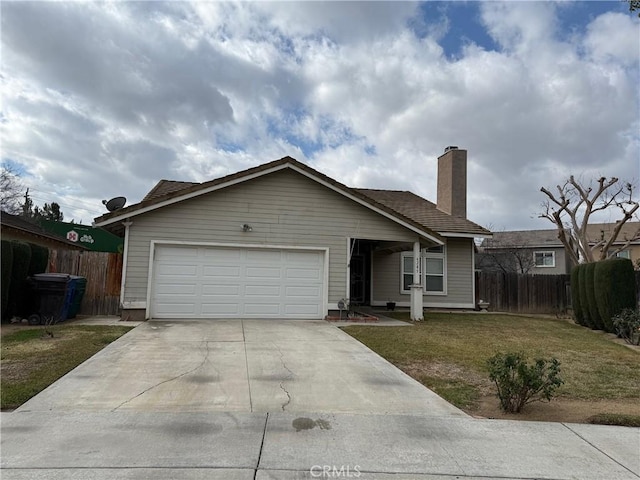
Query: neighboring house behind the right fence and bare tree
{"points": [[541, 252]]}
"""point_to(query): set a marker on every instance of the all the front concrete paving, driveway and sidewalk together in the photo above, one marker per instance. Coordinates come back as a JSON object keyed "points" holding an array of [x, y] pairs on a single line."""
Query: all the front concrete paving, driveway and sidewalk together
{"points": [[286, 400]]}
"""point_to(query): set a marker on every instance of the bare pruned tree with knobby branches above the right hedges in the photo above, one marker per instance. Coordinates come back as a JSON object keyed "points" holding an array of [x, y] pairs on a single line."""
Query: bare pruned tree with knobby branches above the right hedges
{"points": [[571, 208]]}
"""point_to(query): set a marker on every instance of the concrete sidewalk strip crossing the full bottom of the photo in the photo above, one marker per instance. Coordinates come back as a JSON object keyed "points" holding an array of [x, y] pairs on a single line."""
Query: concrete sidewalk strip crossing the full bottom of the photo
{"points": [[205, 445]]}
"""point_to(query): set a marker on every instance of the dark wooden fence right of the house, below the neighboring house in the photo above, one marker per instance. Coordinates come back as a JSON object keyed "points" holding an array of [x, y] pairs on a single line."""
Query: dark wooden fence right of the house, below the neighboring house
{"points": [[520, 293]]}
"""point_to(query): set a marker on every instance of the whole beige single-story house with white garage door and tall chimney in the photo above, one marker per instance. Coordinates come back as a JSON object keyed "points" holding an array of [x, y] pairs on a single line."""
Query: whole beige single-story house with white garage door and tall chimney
{"points": [[282, 240]]}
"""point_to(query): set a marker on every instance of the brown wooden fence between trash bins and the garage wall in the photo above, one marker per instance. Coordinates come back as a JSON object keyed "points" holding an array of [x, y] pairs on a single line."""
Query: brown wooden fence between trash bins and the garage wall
{"points": [[103, 272]]}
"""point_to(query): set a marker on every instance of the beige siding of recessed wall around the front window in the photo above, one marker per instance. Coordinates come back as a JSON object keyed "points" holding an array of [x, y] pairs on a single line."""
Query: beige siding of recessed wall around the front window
{"points": [[386, 282]]}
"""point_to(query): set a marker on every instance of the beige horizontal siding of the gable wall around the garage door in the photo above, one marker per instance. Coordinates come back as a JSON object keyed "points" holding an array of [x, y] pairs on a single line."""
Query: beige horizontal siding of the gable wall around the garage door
{"points": [[283, 208]]}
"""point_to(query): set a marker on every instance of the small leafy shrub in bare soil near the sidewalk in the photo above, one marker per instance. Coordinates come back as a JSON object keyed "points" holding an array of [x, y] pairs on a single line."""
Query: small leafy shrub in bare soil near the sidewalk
{"points": [[520, 383]]}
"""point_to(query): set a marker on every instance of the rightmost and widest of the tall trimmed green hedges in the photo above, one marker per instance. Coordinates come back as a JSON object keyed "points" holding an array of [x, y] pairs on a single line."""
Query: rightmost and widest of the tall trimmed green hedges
{"points": [[615, 288]]}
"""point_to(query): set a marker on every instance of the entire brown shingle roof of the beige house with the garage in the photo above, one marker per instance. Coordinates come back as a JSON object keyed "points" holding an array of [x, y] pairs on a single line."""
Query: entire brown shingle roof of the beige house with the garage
{"points": [[405, 206]]}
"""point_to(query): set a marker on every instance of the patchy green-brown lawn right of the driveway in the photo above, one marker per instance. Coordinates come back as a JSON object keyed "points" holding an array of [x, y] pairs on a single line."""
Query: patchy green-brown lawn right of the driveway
{"points": [[448, 353]]}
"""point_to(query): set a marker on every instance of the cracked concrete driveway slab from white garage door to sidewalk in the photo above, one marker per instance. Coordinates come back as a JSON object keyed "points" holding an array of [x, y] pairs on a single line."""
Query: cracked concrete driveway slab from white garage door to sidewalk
{"points": [[239, 366]]}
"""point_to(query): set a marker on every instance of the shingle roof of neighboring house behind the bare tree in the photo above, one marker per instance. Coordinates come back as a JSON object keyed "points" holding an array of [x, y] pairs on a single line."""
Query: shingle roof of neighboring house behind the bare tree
{"points": [[549, 238]]}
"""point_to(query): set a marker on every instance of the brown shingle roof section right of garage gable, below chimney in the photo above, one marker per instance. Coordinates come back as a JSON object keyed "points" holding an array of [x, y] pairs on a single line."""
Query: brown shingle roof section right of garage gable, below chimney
{"points": [[423, 211]]}
